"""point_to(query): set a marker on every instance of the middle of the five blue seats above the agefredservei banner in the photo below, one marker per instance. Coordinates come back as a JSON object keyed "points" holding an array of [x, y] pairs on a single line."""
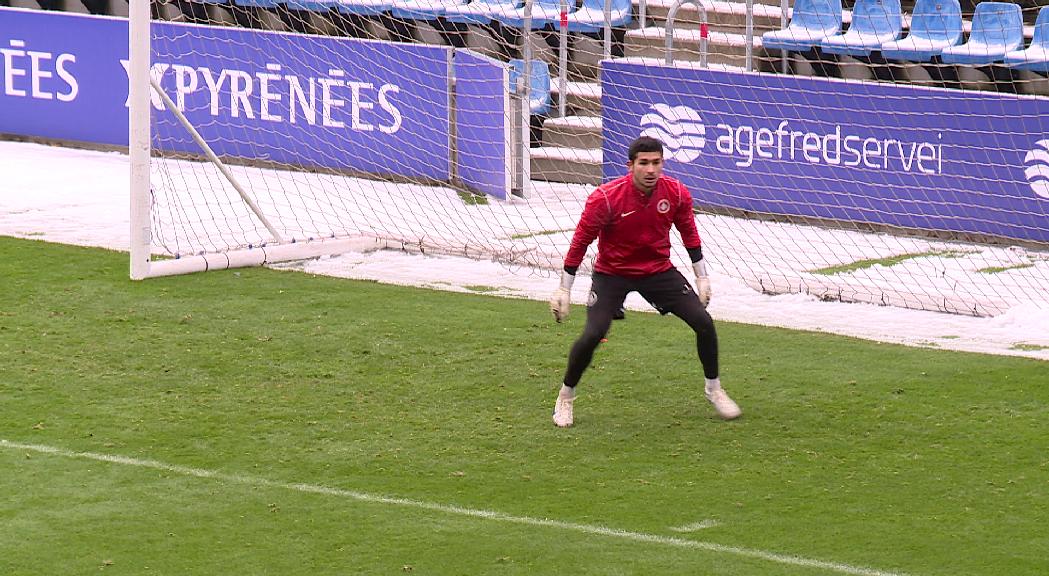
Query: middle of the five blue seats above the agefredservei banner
{"points": [[935, 26]]}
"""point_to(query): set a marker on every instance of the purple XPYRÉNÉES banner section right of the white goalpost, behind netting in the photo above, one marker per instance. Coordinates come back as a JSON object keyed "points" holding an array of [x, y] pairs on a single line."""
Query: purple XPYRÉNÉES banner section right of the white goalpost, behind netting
{"points": [[374, 108]]}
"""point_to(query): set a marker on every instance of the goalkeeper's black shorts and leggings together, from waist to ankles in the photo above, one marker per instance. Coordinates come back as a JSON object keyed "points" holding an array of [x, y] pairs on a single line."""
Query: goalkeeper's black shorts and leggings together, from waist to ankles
{"points": [[669, 292]]}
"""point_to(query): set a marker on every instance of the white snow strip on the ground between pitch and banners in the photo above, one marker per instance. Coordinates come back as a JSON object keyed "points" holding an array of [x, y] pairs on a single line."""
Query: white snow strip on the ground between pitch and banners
{"points": [[81, 198]]}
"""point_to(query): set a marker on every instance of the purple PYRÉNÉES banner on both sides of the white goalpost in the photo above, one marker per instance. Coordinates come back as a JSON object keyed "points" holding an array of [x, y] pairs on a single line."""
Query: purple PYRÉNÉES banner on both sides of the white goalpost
{"points": [[337, 103]]}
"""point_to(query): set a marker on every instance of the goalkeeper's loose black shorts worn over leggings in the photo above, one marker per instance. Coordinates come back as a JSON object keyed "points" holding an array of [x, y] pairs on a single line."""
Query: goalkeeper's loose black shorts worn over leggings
{"points": [[667, 291]]}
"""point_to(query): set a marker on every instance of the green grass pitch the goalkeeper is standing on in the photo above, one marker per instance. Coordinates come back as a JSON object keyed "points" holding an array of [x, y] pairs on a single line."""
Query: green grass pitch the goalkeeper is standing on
{"points": [[877, 457]]}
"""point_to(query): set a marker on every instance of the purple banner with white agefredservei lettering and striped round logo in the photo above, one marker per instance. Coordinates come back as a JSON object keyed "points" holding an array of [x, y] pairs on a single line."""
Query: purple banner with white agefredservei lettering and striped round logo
{"points": [[956, 161]]}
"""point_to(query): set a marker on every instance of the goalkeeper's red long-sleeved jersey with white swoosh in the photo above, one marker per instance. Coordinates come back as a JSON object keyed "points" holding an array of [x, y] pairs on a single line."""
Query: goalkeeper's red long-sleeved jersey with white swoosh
{"points": [[633, 230]]}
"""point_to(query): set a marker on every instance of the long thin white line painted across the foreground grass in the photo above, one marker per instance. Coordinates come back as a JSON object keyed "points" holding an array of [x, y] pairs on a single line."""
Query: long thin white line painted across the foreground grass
{"points": [[449, 509]]}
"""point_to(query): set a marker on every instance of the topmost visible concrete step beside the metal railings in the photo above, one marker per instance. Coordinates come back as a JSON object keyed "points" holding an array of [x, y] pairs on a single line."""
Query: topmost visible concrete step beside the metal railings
{"points": [[722, 16]]}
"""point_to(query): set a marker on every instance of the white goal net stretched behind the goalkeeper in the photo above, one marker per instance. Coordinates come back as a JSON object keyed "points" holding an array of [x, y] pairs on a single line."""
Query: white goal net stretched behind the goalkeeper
{"points": [[338, 129]]}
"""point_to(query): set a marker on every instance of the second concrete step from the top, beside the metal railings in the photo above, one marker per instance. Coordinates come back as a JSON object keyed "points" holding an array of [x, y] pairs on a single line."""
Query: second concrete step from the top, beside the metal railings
{"points": [[724, 49]]}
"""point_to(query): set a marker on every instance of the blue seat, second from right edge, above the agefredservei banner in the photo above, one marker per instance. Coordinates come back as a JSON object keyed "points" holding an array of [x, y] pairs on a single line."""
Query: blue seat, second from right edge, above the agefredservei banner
{"points": [[998, 28]]}
